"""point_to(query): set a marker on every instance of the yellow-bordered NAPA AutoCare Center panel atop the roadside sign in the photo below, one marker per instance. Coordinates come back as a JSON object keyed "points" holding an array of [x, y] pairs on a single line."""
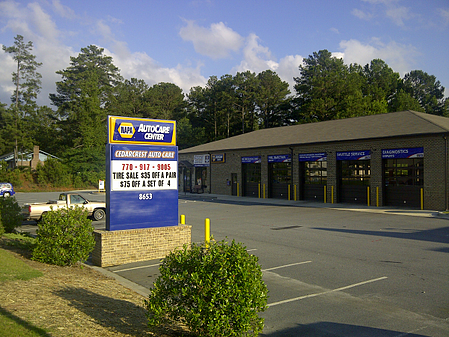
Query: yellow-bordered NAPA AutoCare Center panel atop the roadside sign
{"points": [[125, 130]]}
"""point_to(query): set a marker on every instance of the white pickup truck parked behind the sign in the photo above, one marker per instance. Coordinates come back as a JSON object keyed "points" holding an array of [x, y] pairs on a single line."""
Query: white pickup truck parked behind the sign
{"points": [[35, 211]]}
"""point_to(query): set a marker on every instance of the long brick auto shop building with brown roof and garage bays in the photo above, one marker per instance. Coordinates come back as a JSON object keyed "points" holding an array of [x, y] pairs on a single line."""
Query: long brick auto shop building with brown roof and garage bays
{"points": [[396, 159]]}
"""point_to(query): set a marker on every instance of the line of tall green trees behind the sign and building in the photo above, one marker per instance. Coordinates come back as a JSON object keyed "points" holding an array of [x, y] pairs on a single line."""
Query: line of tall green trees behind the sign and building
{"points": [[91, 88]]}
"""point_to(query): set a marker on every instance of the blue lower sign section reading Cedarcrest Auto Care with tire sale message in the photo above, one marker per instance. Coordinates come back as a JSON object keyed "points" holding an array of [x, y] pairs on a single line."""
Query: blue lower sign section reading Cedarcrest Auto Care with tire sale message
{"points": [[142, 186]]}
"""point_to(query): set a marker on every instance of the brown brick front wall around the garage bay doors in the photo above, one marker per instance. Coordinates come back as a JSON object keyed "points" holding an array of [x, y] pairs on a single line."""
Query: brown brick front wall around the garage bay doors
{"points": [[436, 182]]}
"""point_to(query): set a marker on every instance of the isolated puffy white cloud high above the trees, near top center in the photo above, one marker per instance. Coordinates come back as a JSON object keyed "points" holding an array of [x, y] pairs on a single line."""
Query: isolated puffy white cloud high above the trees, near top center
{"points": [[216, 42]]}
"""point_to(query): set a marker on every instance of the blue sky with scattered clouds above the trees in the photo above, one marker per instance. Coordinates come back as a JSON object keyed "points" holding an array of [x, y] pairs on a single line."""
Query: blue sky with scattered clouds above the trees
{"points": [[186, 41]]}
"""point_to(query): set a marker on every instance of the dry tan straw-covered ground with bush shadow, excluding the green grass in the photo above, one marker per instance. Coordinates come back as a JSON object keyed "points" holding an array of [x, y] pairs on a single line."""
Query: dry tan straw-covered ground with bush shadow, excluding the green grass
{"points": [[77, 301]]}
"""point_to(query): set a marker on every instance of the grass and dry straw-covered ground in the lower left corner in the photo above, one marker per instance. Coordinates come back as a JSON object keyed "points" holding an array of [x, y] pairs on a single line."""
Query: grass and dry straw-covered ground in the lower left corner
{"points": [[38, 299]]}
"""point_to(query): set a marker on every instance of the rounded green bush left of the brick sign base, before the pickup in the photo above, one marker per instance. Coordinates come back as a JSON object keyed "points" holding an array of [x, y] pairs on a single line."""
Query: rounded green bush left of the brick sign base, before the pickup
{"points": [[64, 237]]}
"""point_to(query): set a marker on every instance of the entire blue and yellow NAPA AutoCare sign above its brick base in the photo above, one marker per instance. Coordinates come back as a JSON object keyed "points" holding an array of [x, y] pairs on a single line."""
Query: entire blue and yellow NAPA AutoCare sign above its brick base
{"points": [[142, 173]]}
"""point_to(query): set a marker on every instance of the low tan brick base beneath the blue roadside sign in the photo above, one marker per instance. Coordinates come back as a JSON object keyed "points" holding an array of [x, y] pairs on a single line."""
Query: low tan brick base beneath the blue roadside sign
{"points": [[125, 246]]}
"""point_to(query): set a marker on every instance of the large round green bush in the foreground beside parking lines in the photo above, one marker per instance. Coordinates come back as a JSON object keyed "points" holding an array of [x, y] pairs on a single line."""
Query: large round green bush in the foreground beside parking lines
{"points": [[215, 291]]}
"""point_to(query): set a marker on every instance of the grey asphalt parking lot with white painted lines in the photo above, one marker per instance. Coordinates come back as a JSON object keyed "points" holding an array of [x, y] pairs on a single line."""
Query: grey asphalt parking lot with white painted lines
{"points": [[332, 272]]}
